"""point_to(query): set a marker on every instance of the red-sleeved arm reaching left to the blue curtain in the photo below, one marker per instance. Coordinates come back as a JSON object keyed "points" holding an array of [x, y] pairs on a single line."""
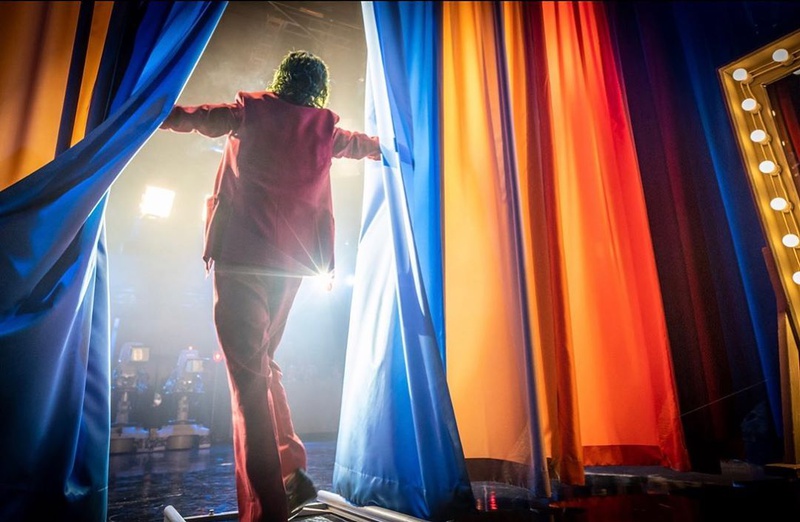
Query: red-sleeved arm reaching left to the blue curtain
{"points": [[208, 120]]}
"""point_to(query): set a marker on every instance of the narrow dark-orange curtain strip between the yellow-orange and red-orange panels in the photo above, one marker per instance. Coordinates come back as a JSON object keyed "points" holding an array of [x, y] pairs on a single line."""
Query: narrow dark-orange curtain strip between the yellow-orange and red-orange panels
{"points": [[554, 365]]}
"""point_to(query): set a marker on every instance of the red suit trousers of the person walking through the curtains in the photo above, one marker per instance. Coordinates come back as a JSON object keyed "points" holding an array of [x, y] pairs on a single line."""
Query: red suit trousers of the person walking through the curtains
{"points": [[250, 312]]}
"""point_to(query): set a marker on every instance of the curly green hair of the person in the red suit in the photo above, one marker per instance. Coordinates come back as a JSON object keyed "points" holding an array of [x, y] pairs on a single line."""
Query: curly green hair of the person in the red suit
{"points": [[302, 79]]}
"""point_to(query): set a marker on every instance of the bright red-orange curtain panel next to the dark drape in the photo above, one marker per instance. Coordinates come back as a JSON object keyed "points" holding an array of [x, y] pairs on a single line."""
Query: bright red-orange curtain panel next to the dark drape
{"points": [[615, 322]]}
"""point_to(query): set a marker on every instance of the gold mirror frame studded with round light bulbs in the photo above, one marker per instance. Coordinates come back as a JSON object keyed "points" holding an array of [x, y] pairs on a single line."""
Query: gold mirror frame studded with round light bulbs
{"points": [[772, 183]]}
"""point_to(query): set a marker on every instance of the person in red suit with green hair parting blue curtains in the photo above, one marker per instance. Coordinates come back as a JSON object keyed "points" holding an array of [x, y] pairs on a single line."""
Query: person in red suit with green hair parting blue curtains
{"points": [[269, 223]]}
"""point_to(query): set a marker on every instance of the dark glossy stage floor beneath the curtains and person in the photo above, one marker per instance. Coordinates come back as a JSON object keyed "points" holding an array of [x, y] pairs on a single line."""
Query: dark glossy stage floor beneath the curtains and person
{"points": [[199, 482]]}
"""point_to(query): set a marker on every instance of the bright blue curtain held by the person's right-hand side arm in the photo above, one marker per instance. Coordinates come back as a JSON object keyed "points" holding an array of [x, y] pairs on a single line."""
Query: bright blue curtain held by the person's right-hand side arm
{"points": [[398, 445]]}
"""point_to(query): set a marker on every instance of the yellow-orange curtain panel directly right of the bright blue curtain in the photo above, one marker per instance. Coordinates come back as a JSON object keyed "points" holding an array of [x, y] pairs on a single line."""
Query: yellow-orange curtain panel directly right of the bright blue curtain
{"points": [[486, 373]]}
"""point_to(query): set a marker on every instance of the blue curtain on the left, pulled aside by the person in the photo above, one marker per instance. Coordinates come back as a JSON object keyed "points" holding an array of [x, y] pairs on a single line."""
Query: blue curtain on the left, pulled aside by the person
{"points": [[54, 309]]}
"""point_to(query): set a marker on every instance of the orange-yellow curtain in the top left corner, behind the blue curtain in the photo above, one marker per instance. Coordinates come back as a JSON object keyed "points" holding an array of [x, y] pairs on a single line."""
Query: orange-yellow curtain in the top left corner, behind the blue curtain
{"points": [[35, 54]]}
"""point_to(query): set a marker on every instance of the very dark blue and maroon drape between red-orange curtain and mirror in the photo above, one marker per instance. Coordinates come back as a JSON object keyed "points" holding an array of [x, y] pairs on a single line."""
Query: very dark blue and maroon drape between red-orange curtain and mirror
{"points": [[719, 302]]}
